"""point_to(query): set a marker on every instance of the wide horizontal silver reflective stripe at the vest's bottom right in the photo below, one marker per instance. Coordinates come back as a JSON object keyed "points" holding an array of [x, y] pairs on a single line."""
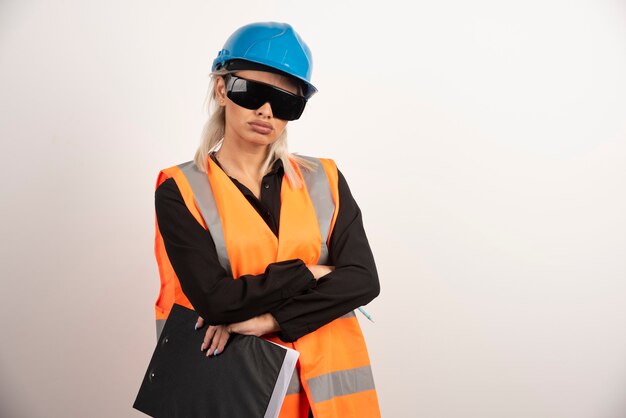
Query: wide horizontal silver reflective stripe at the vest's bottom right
{"points": [[343, 382]]}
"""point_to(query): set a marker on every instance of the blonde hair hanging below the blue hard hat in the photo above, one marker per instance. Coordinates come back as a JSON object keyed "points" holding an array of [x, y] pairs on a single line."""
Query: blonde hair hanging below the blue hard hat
{"points": [[213, 136]]}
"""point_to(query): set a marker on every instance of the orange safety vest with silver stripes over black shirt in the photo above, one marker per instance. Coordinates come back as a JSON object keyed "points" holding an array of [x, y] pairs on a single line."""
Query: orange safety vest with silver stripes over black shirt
{"points": [[333, 375]]}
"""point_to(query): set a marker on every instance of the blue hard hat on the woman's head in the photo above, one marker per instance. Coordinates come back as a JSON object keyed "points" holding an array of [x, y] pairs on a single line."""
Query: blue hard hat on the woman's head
{"points": [[273, 45]]}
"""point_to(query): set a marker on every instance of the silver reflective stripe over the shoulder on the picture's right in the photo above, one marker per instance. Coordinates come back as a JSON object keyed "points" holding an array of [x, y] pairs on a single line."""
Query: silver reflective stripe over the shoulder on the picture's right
{"points": [[318, 186]]}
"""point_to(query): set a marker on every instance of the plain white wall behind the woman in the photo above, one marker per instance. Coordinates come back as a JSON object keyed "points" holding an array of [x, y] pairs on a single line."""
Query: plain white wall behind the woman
{"points": [[485, 142]]}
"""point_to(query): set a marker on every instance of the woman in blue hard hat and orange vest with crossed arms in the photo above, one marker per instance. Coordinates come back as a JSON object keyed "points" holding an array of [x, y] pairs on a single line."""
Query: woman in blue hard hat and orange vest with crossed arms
{"points": [[285, 227]]}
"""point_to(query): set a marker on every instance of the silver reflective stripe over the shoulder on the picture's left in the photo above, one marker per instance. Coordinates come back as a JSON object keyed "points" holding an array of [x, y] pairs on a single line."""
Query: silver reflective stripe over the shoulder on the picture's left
{"points": [[203, 195]]}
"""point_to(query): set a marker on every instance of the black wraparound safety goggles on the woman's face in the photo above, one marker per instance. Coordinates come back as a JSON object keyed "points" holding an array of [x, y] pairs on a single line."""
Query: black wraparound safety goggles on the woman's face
{"points": [[254, 94]]}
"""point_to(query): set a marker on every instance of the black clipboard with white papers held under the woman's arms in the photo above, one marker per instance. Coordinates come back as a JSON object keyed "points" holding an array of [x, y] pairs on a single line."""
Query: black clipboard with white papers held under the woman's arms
{"points": [[181, 381]]}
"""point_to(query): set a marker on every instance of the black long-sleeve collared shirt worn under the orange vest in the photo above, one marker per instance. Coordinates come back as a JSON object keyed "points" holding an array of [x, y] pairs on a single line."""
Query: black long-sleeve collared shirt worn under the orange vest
{"points": [[286, 289]]}
